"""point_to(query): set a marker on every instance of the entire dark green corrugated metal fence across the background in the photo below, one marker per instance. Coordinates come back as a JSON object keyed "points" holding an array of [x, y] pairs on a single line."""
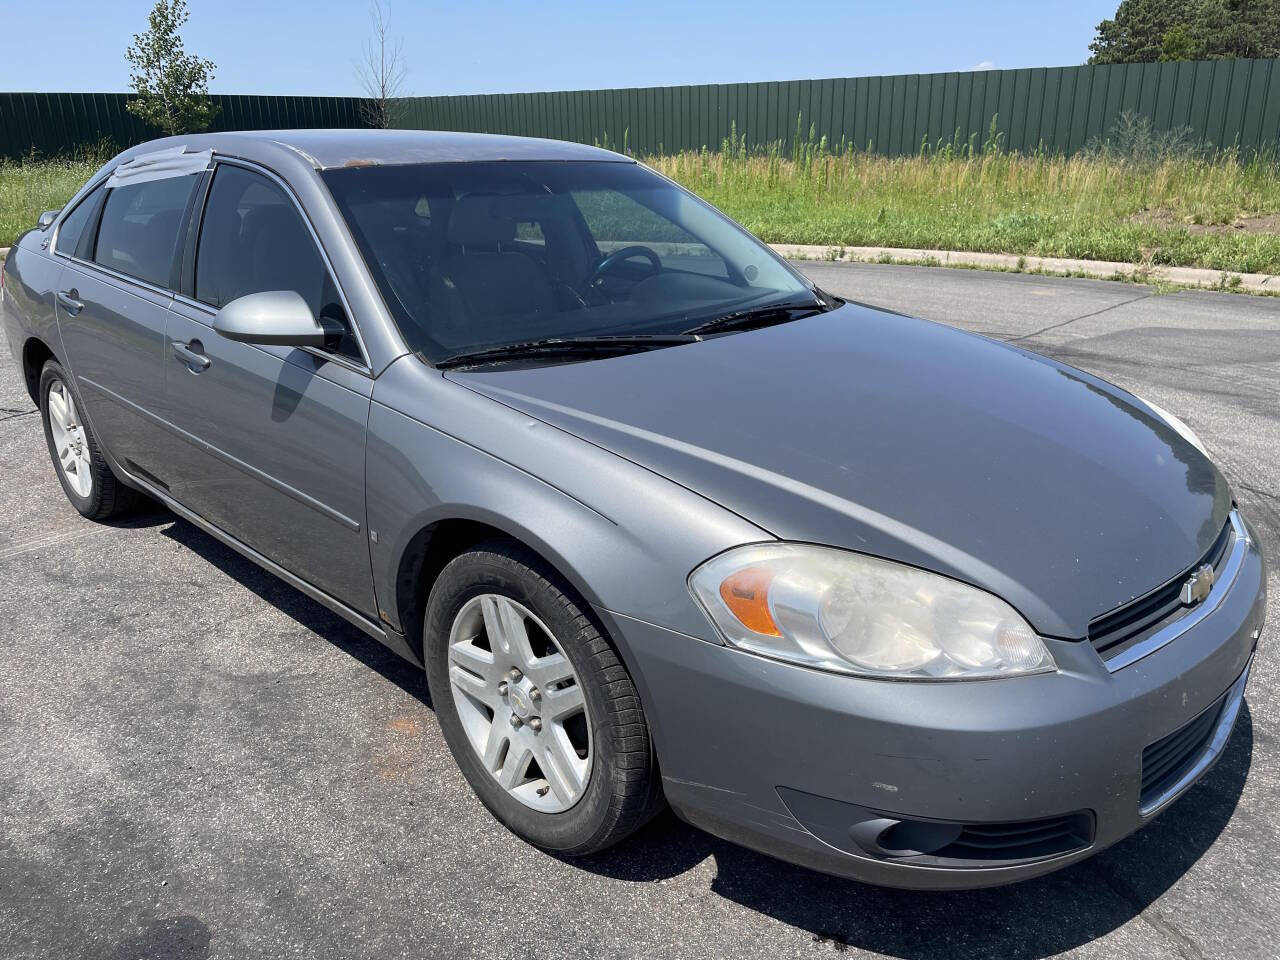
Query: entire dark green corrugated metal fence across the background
{"points": [[1060, 109]]}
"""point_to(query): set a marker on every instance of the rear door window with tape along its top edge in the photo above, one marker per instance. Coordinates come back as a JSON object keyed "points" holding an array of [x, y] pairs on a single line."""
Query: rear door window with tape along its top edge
{"points": [[139, 234]]}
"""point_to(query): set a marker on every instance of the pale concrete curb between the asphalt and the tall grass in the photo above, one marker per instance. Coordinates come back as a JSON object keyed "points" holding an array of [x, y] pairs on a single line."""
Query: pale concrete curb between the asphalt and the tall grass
{"points": [[1101, 269]]}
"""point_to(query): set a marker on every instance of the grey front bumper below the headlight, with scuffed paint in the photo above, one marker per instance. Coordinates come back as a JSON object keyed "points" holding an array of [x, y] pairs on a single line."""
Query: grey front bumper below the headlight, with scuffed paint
{"points": [[796, 762]]}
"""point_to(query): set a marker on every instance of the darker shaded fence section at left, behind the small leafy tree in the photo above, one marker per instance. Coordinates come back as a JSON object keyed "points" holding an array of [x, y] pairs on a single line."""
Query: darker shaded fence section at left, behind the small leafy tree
{"points": [[52, 125]]}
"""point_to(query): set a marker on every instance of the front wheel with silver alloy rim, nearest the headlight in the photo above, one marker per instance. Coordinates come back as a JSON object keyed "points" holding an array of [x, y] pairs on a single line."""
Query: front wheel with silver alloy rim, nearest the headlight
{"points": [[537, 707]]}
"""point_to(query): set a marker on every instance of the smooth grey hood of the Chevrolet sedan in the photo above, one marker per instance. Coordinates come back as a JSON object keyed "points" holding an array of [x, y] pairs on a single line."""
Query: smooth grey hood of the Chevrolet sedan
{"points": [[912, 441]]}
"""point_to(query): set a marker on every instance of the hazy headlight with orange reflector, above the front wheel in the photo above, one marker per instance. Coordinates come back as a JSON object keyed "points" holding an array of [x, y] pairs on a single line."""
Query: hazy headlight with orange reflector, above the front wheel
{"points": [[849, 614]]}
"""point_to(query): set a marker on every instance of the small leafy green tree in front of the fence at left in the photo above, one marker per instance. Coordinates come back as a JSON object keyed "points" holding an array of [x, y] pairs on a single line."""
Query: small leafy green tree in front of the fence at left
{"points": [[172, 85]]}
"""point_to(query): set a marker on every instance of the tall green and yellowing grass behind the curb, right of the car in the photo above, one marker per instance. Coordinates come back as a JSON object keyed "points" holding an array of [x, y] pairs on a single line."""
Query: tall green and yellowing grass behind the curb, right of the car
{"points": [[1103, 204]]}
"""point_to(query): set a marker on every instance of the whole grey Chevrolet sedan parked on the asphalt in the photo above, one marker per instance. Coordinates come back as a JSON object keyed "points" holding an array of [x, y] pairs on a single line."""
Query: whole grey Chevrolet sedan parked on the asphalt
{"points": [[664, 523]]}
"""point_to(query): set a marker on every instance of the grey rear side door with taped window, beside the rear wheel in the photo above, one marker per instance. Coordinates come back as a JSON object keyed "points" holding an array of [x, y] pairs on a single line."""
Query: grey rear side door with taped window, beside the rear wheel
{"points": [[121, 249]]}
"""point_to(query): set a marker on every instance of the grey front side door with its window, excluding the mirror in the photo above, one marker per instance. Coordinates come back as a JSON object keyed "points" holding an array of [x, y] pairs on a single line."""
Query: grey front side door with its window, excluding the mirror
{"points": [[276, 436]]}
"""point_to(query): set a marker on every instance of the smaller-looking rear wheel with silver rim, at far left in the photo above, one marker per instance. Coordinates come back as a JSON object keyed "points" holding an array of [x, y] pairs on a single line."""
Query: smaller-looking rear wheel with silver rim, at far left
{"points": [[86, 477]]}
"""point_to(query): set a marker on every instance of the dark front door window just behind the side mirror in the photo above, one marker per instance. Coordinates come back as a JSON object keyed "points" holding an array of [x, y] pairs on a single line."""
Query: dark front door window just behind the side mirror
{"points": [[254, 240]]}
